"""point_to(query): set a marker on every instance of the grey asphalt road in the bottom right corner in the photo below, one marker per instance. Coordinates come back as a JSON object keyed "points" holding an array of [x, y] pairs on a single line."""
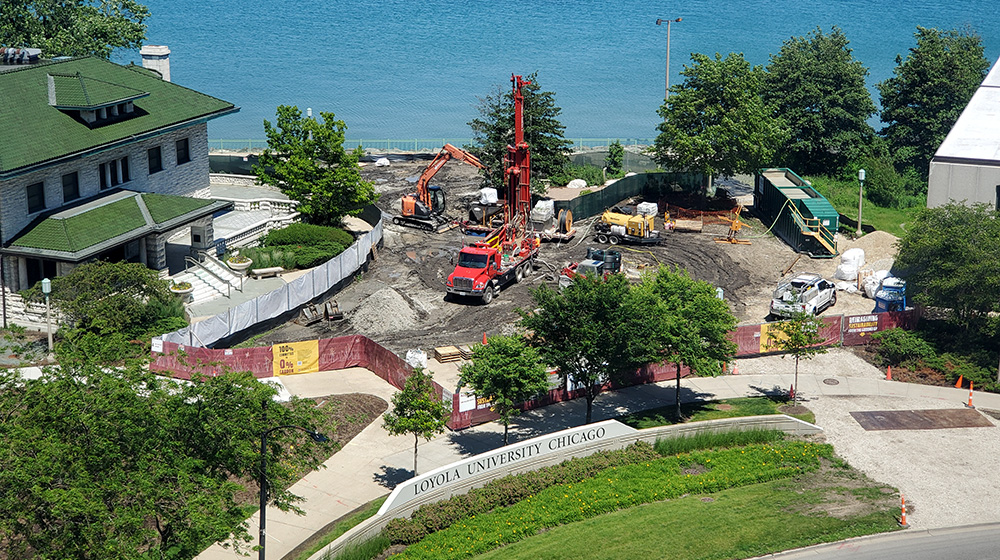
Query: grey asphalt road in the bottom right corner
{"points": [[972, 542]]}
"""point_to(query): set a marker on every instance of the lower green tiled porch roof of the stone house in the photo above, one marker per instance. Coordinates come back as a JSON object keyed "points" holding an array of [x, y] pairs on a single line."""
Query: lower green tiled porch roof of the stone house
{"points": [[78, 232]]}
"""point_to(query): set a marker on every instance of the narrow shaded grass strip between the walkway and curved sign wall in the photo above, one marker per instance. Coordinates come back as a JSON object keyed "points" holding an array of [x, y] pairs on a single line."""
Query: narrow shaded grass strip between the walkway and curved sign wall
{"points": [[704, 410]]}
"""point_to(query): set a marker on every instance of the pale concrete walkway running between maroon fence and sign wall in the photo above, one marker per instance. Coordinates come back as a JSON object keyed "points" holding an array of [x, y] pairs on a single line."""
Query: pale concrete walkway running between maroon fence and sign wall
{"points": [[374, 461]]}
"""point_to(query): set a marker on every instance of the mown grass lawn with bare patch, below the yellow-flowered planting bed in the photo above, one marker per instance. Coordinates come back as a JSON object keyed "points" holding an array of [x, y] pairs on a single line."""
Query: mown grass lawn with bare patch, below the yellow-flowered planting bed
{"points": [[735, 523]]}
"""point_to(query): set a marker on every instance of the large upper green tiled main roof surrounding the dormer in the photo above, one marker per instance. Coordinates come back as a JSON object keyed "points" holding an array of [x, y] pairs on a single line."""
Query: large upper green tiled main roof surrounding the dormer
{"points": [[33, 132]]}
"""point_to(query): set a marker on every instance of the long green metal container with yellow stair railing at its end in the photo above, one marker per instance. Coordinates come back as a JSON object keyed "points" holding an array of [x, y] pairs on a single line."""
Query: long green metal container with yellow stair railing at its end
{"points": [[802, 217]]}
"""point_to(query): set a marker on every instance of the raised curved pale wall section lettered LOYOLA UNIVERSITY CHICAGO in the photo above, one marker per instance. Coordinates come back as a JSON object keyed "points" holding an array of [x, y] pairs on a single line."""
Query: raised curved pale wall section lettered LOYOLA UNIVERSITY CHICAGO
{"points": [[504, 460]]}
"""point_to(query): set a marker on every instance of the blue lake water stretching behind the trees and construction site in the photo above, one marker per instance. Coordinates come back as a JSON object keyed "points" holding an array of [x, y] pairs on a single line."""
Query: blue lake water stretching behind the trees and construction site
{"points": [[415, 69]]}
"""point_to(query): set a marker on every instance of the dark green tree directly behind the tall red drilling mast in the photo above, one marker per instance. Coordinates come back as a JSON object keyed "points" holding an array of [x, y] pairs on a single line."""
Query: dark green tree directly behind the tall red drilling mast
{"points": [[493, 131]]}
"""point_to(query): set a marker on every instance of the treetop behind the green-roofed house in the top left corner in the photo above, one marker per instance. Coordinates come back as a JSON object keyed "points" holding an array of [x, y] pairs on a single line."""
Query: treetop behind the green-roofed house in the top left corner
{"points": [[78, 28]]}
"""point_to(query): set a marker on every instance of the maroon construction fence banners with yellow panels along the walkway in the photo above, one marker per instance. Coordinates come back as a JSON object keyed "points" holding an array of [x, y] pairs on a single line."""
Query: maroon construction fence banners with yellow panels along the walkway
{"points": [[360, 351]]}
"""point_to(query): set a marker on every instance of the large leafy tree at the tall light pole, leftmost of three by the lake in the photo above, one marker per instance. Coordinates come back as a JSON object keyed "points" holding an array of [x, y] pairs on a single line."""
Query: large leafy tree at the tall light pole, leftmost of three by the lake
{"points": [[716, 121]]}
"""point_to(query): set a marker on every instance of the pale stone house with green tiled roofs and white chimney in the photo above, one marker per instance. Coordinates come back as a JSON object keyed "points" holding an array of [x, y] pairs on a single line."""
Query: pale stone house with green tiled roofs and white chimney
{"points": [[99, 161]]}
